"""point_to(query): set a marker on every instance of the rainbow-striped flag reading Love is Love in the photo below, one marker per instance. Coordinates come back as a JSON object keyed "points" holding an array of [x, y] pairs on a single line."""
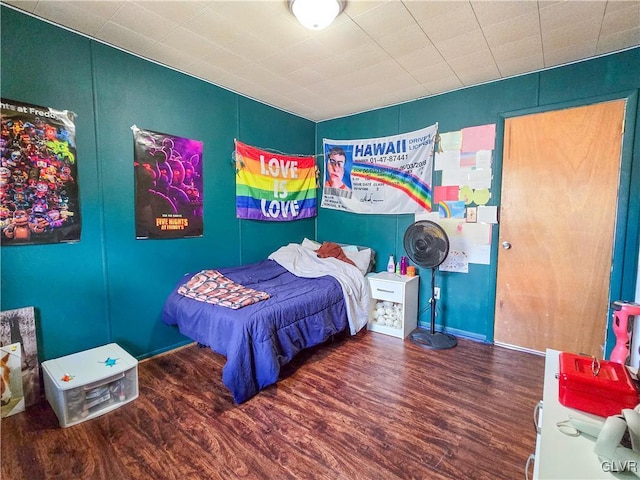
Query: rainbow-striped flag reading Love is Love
{"points": [[274, 187]]}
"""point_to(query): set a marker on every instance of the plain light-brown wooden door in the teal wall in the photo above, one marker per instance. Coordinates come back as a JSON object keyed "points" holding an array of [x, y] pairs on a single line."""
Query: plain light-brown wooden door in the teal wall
{"points": [[557, 219]]}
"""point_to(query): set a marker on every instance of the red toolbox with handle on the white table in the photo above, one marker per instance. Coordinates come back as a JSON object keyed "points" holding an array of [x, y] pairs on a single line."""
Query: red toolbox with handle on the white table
{"points": [[600, 387]]}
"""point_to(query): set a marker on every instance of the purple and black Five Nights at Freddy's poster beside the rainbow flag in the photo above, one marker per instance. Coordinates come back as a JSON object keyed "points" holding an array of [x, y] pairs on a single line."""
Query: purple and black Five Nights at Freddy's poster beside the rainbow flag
{"points": [[168, 185]]}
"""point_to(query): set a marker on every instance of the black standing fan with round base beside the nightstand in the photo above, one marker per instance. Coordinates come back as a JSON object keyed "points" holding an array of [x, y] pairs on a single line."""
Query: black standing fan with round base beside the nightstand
{"points": [[427, 245]]}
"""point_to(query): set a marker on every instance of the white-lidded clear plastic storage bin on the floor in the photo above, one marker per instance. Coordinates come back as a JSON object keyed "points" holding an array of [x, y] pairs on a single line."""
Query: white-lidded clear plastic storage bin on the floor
{"points": [[87, 384]]}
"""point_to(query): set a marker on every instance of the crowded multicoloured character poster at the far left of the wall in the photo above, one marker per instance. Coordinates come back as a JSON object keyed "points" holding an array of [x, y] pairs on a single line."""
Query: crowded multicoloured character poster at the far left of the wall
{"points": [[38, 176]]}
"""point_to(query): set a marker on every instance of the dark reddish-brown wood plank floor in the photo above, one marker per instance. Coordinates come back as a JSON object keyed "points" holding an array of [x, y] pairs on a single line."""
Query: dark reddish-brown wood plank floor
{"points": [[364, 407]]}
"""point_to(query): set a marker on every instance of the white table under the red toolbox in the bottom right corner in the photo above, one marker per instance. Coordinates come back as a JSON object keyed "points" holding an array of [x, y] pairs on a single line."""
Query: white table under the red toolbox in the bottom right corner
{"points": [[559, 456]]}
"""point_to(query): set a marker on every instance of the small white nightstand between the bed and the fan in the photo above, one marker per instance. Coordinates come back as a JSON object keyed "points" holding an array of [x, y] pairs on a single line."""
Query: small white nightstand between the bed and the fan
{"points": [[394, 304]]}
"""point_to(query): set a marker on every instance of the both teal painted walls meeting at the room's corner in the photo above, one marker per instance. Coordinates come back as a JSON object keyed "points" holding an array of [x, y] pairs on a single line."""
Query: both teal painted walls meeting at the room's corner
{"points": [[111, 287]]}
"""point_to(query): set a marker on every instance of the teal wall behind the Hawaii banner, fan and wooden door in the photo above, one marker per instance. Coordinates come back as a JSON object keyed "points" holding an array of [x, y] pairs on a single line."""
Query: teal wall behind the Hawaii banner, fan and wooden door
{"points": [[468, 300]]}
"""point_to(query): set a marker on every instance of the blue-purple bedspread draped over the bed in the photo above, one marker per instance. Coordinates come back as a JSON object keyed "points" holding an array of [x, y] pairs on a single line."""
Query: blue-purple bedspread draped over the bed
{"points": [[258, 339]]}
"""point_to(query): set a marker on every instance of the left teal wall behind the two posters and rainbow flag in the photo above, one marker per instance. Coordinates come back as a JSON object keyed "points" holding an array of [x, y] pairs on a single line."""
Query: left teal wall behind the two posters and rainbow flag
{"points": [[110, 287]]}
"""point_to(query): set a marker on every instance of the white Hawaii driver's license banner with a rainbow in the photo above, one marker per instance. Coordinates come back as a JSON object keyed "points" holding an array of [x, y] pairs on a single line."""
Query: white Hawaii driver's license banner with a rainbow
{"points": [[388, 175]]}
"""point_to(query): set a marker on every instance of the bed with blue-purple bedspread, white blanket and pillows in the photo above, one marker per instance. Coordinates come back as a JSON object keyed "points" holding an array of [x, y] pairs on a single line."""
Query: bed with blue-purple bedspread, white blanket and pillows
{"points": [[301, 300]]}
